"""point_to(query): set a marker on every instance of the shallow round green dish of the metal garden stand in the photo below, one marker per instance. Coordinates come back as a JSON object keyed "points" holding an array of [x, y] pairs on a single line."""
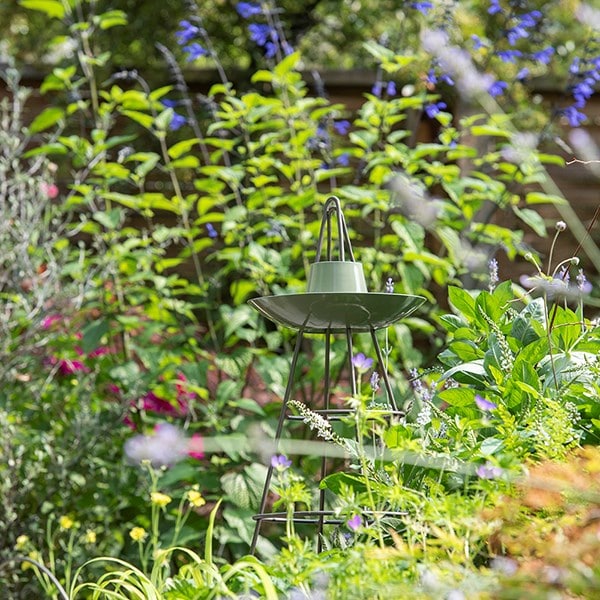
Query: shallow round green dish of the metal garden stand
{"points": [[337, 311]]}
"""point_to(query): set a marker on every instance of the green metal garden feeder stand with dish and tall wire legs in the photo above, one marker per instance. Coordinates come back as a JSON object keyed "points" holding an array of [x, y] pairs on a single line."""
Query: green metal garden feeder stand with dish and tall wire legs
{"points": [[336, 302]]}
